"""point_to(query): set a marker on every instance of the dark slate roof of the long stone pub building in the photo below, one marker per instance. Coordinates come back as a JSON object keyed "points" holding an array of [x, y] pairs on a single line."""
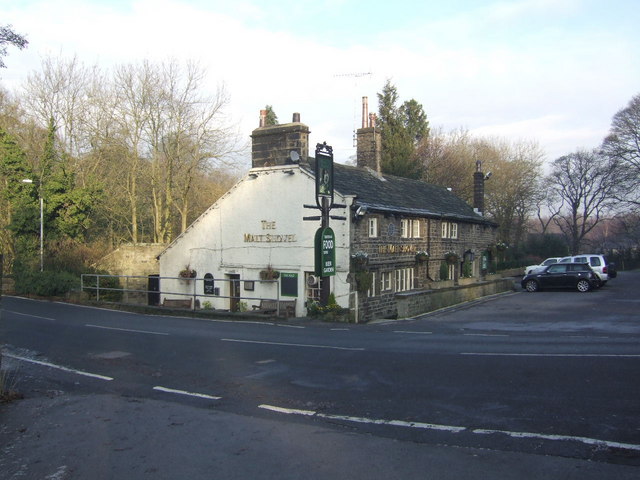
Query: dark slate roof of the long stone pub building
{"points": [[391, 194]]}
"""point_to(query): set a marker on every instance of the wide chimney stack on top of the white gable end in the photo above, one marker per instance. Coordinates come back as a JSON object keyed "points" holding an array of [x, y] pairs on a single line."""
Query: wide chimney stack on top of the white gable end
{"points": [[273, 145]]}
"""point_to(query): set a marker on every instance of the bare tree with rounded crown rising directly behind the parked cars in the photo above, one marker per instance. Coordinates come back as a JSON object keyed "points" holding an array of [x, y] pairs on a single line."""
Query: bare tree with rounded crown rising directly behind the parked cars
{"points": [[586, 182]]}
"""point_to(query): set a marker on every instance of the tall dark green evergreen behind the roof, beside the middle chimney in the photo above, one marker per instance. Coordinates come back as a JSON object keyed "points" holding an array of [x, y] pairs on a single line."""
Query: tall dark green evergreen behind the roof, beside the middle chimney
{"points": [[401, 129]]}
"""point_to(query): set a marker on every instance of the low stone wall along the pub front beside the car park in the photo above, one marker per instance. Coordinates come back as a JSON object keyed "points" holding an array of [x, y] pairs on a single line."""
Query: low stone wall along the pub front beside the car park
{"points": [[415, 303]]}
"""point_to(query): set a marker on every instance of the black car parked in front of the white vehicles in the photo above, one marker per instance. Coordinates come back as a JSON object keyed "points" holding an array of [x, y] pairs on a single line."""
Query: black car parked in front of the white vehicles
{"points": [[562, 275]]}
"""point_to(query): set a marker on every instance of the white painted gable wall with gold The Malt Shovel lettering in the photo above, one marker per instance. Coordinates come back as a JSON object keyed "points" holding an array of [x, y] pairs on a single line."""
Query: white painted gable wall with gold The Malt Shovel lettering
{"points": [[225, 239]]}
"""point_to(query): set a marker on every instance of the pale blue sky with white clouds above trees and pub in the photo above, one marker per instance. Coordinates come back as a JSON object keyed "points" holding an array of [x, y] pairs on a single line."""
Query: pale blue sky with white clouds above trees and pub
{"points": [[548, 71]]}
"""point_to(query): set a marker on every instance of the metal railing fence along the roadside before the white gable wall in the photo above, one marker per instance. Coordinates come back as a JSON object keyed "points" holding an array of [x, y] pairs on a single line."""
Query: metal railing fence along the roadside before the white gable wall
{"points": [[215, 294]]}
